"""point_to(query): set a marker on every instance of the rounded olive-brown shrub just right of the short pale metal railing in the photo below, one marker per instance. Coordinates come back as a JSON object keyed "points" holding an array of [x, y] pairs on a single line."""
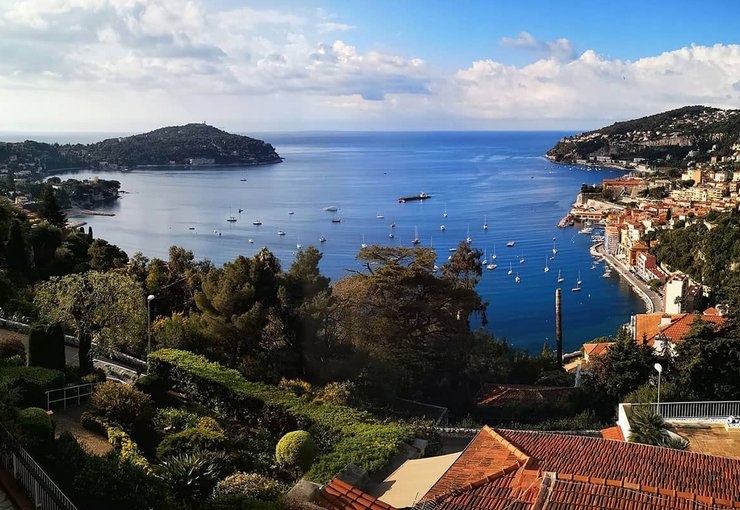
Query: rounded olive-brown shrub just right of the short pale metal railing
{"points": [[122, 405]]}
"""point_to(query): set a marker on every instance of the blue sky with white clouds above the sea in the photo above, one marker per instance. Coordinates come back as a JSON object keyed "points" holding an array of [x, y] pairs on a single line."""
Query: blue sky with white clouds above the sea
{"points": [[135, 65]]}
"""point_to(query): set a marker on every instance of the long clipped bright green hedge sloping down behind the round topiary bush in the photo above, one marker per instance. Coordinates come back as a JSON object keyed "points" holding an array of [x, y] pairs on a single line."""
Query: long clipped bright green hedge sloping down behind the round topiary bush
{"points": [[359, 438]]}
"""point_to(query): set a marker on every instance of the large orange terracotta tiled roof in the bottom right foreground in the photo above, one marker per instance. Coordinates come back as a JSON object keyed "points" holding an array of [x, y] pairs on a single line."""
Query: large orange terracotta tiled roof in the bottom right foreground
{"points": [[551, 471]]}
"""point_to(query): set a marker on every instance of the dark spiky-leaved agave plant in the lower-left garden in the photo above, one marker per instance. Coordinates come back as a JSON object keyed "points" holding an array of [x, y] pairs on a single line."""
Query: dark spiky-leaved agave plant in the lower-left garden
{"points": [[192, 477]]}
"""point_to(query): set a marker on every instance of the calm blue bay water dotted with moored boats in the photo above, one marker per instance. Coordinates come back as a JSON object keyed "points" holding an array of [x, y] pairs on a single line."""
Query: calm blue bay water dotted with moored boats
{"points": [[499, 175]]}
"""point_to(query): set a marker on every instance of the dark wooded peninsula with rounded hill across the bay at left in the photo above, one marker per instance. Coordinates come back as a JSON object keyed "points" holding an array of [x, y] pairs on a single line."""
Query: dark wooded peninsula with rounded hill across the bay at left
{"points": [[191, 145]]}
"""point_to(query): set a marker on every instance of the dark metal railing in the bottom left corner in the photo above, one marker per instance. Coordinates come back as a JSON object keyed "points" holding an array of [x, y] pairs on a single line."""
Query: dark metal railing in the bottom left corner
{"points": [[39, 487]]}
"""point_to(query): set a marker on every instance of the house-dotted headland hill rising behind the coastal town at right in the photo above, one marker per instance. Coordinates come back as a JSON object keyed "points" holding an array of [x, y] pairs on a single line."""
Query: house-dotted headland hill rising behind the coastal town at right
{"points": [[691, 132]]}
